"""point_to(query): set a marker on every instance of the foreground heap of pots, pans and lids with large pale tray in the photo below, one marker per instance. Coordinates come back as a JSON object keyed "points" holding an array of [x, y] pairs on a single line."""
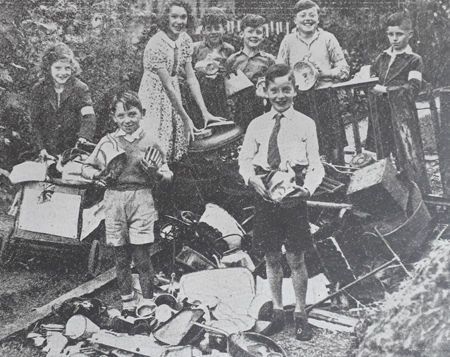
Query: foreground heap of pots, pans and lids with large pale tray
{"points": [[211, 316]]}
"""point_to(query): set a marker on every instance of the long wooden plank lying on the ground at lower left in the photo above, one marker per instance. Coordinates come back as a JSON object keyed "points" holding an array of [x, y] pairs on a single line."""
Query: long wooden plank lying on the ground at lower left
{"points": [[41, 312]]}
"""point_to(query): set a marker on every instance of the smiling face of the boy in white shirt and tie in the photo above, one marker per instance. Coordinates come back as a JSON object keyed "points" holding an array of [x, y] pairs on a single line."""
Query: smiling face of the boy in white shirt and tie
{"points": [[281, 93]]}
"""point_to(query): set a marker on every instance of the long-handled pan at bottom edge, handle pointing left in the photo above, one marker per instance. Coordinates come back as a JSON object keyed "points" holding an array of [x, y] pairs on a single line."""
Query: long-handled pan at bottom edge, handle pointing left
{"points": [[248, 344]]}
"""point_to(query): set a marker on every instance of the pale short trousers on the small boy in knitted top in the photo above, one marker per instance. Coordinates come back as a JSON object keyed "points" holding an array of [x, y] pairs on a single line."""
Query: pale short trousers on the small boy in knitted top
{"points": [[130, 217]]}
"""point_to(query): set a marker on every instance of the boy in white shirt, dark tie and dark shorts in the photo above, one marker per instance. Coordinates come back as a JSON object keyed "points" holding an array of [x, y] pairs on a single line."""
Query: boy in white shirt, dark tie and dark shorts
{"points": [[278, 140]]}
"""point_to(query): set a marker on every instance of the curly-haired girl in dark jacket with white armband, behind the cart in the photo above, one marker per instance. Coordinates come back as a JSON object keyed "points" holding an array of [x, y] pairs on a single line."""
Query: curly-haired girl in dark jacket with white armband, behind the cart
{"points": [[61, 104]]}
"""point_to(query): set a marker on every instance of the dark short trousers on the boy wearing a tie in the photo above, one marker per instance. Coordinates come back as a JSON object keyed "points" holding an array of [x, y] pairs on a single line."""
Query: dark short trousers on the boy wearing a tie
{"points": [[275, 226]]}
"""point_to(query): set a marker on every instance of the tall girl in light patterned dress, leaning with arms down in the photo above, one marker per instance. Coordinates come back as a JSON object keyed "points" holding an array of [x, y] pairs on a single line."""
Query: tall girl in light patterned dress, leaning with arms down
{"points": [[167, 53]]}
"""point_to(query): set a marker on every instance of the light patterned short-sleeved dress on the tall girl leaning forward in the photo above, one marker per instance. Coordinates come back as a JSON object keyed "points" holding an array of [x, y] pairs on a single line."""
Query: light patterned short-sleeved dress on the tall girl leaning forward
{"points": [[160, 115]]}
